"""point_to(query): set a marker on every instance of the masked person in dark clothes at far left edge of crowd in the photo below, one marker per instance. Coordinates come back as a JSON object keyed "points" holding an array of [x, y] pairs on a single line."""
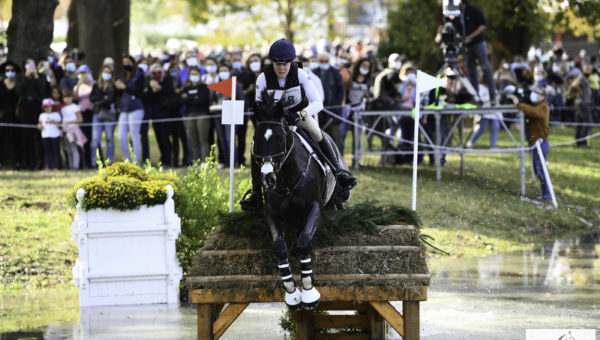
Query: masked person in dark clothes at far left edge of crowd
{"points": [[9, 137]]}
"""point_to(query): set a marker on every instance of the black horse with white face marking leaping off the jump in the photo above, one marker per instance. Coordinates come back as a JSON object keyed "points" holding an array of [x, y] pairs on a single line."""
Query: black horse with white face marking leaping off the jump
{"points": [[296, 189]]}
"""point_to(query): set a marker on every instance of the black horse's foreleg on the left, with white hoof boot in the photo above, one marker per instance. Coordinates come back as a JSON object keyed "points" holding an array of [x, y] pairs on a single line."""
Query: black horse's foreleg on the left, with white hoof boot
{"points": [[293, 297]]}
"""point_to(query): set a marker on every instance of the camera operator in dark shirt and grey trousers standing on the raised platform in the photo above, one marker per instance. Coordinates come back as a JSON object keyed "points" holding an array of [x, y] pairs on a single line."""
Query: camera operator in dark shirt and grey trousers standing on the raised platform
{"points": [[473, 26]]}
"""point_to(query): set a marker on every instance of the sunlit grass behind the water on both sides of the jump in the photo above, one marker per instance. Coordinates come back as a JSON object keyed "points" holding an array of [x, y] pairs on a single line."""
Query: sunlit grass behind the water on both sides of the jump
{"points": [[476, 213]]}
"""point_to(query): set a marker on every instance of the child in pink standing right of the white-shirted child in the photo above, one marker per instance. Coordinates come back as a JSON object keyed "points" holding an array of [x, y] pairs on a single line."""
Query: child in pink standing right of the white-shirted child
{"points": [[74, 138]]}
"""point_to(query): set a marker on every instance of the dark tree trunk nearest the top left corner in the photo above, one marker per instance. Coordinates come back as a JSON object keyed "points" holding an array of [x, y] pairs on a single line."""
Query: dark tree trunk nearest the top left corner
{"points": [[30, 29]]}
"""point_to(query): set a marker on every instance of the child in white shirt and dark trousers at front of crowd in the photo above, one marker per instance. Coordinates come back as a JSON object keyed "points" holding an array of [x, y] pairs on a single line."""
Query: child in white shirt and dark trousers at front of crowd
{"points": [[49, 121]]}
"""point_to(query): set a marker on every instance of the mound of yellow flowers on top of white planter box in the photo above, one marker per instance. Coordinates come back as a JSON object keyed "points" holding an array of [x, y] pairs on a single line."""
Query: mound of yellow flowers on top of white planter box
{"points": [[124, 186]]}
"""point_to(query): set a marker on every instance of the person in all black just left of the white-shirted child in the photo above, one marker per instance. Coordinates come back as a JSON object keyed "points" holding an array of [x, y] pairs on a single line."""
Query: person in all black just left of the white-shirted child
{"points": [[31, 90]]}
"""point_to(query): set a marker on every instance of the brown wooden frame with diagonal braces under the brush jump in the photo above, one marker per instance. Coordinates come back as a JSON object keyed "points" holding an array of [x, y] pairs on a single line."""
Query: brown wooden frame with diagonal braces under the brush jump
{"points": [[214, 320]]}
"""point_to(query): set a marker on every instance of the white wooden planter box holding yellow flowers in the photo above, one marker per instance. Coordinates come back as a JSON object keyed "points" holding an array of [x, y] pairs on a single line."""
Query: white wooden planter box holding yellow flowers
{"points": [[127, 257]]}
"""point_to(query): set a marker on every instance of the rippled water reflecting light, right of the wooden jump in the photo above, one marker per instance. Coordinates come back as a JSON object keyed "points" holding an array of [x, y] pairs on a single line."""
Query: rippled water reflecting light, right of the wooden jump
{"points": [[500, 296]]}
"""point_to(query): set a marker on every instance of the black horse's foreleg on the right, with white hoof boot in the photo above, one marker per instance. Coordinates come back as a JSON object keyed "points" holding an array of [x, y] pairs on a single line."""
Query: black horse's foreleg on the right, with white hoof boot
{"points": [[310, 295]]}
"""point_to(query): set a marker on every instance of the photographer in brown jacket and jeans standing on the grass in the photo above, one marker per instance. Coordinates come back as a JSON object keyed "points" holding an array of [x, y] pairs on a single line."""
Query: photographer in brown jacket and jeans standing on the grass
{"points": [[538, 113]]}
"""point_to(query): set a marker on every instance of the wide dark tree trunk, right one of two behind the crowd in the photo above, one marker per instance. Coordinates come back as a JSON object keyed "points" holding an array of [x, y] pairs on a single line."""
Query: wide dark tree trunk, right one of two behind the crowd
{"points": [[100, 29]]}
